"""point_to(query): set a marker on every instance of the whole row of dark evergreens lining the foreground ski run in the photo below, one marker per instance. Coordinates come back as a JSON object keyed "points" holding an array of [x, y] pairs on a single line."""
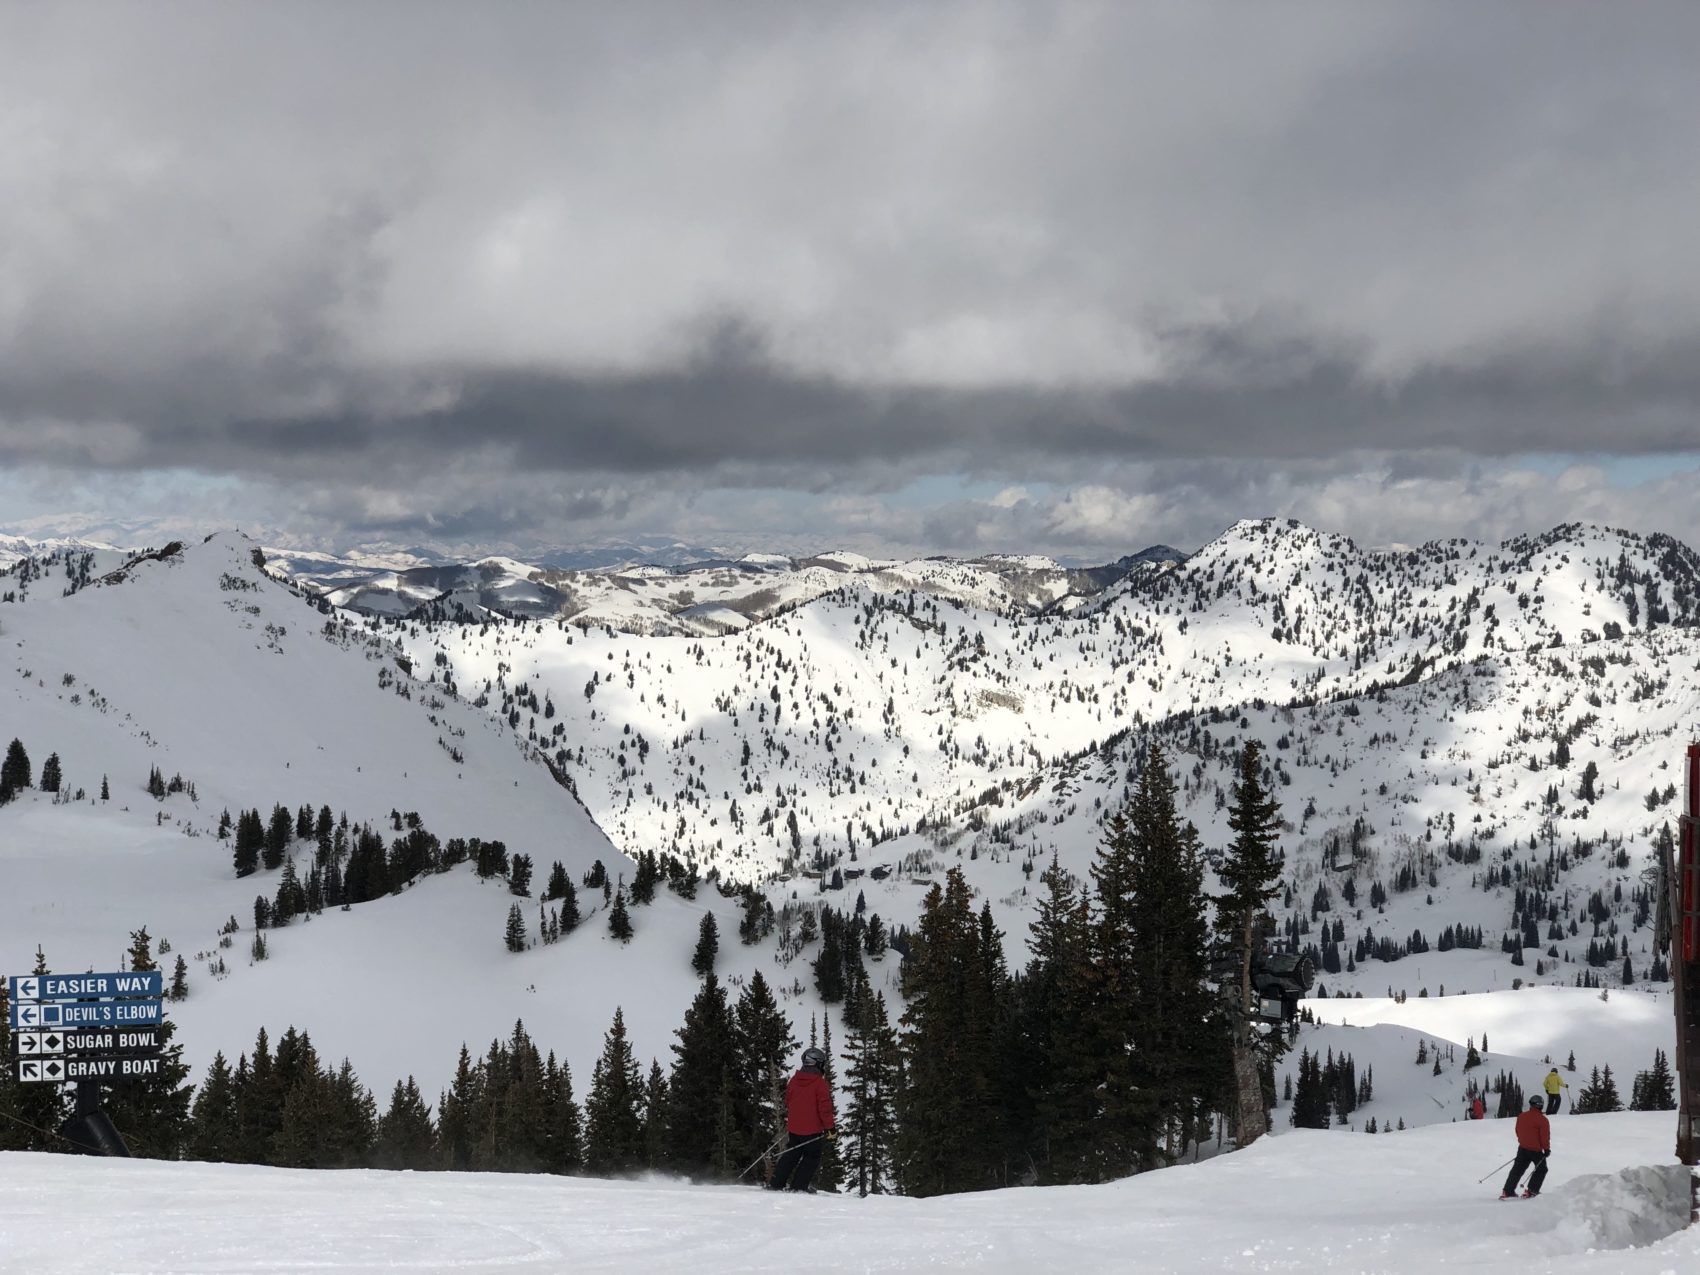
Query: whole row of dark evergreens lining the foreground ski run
{"points": [[1109, 1053]]}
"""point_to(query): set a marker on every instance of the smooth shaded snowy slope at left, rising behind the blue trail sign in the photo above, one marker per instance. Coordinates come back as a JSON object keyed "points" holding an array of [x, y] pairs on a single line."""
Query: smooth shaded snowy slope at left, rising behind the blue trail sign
{"points": [[201, 666]]}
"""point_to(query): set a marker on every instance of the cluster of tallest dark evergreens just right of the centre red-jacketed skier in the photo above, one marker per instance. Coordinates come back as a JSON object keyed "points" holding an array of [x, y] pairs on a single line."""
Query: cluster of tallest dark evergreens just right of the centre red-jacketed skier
{"points": [[1114, 1050]]}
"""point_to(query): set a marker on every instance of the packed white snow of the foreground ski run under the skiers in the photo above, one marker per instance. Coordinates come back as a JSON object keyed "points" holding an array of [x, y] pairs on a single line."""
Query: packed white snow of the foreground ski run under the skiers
{"points": [[1313, 1203]]}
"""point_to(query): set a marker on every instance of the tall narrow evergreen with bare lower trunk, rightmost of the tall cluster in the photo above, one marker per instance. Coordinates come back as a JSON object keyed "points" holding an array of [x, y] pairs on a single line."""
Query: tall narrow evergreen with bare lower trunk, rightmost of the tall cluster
{"points": [[1250, 878]]}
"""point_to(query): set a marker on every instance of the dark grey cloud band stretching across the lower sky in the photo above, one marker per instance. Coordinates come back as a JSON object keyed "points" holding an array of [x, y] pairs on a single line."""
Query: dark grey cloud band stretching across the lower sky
{"points": [[1238, 394]]}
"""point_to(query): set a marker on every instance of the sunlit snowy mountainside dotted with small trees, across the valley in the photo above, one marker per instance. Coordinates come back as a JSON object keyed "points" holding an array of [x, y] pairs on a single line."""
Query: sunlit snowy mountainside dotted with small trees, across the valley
{"points": [[1429, 711]]}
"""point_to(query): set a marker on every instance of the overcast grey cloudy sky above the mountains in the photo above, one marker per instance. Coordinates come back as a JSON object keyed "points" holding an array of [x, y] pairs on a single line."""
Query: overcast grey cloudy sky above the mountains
{"points": [[943, 278]]}
